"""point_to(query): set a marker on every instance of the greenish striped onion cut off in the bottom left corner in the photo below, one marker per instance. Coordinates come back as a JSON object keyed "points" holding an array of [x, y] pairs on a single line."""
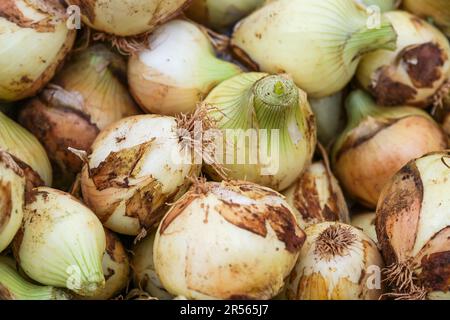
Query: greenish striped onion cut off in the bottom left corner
{"points": [[14, 287]]}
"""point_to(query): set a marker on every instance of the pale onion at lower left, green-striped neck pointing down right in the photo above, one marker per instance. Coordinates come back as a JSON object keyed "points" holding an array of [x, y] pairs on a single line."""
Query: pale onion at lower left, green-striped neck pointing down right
{"points": [[61, 242]]}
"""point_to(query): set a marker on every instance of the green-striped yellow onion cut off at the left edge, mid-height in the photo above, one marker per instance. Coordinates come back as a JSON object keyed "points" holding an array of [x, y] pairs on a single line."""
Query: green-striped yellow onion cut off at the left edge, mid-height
{"points": [[27, 151]]}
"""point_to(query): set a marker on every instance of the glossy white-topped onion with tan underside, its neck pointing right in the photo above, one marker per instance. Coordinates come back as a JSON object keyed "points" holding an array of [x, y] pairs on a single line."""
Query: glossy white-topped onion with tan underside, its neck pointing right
{"points": [[177, 70]]}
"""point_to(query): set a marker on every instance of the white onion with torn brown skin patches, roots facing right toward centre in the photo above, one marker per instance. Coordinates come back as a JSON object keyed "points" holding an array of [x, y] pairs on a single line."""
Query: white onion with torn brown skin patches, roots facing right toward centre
{"points": [[137, 165]]}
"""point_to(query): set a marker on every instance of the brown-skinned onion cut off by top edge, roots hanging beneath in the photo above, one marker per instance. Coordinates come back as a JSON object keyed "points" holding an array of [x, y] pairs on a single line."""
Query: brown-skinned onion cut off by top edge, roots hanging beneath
{"points": [[128, 18]]}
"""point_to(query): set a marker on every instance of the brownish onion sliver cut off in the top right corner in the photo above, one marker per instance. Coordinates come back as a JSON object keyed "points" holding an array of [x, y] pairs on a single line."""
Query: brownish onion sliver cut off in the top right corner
{"points": [[437, 10]]}
